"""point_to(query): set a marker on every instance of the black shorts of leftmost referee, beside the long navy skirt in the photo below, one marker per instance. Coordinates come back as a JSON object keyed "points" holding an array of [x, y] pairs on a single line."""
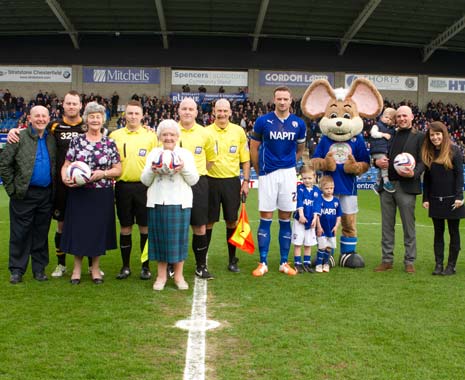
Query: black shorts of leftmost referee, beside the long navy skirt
{"points": [[131, 203]]}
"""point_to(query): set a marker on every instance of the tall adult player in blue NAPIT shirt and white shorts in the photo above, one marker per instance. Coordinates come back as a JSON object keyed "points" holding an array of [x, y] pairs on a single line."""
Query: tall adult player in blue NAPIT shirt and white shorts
{"points": [[276, 144]]}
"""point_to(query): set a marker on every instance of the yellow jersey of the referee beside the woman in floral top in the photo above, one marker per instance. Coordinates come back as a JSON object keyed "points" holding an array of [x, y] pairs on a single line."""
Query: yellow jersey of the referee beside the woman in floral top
{"points": [[133, 147]]}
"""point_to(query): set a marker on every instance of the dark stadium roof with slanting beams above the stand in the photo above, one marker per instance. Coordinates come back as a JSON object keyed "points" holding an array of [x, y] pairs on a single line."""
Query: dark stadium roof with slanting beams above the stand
{"points": [[423, 25]]}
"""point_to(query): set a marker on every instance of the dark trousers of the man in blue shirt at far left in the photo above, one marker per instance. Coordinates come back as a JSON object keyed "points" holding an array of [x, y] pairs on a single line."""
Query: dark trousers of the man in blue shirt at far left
{"points": [[29, 225]]}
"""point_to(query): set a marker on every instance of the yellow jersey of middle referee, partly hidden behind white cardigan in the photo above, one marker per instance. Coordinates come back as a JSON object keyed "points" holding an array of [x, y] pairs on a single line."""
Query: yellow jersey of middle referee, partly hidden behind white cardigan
{"points": [[201, 144]]}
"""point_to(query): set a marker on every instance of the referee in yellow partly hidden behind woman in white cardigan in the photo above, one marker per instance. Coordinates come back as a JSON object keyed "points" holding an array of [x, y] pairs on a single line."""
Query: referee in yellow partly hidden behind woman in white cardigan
{"points": [[198, 141]]}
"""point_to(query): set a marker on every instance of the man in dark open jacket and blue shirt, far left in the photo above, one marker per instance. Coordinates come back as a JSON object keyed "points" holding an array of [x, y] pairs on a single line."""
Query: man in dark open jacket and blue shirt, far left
{"points": [[27, 169]]}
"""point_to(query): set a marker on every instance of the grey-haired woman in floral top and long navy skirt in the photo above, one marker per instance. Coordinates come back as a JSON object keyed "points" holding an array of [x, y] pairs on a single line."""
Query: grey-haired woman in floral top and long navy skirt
{"points": [[89, 228]]}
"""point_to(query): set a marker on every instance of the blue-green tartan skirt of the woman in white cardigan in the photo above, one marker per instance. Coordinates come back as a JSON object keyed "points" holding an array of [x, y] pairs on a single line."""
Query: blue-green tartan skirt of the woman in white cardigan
{"points": [[168, 233]]}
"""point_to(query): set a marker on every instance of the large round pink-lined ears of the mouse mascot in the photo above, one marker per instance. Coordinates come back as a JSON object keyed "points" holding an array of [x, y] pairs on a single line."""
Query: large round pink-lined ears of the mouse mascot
{"points": [[362, 93]]}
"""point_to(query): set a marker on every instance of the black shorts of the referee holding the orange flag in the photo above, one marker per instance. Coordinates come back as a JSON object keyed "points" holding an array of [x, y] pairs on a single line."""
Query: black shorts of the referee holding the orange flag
{"points": [[224, 192]]}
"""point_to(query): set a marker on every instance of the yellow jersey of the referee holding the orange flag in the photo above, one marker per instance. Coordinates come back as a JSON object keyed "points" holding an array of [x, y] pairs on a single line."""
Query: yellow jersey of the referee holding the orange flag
{"points": [[232, 149]]}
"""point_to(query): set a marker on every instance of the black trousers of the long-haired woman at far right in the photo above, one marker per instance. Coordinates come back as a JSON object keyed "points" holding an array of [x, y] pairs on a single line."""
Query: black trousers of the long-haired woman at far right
{"points": [[454, 239]]}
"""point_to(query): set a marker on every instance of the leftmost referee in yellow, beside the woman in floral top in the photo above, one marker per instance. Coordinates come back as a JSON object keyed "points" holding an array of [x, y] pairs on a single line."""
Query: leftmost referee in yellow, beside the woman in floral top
{"points": [[134, 143]]}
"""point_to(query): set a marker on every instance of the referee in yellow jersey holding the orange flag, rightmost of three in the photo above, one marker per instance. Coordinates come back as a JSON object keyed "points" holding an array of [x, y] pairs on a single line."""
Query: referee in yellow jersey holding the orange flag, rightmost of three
{"points": [[224, 184]]}
